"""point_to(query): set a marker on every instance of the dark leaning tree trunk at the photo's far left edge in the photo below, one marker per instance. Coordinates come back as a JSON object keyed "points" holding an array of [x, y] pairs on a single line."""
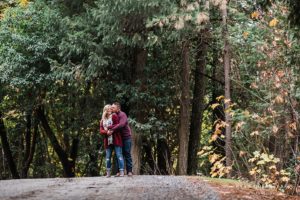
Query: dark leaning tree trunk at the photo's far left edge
{"points": [[7, 150]]}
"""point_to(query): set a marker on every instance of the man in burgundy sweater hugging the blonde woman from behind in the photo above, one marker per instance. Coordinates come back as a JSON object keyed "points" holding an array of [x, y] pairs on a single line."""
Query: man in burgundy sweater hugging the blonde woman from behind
{"points": [[124, 128]]}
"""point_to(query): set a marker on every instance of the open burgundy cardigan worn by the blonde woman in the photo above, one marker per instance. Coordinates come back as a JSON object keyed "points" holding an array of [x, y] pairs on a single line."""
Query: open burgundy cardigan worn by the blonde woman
{"points": [[117, 138]]}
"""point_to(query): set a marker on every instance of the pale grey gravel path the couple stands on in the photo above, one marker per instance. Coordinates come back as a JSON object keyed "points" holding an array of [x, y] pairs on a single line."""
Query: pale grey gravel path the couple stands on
{"points": [[136, 188]]}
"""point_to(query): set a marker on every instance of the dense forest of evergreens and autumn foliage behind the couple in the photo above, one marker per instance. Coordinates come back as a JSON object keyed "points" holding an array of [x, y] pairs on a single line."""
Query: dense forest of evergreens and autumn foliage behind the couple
{"points": [[211, 87]]}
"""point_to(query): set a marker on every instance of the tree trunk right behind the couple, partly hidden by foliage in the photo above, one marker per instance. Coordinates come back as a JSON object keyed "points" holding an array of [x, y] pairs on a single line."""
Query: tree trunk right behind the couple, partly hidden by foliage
{"points": [[141, 59]]}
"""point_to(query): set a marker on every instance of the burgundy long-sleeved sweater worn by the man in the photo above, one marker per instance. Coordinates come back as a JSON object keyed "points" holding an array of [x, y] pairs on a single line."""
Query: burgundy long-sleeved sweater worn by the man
{"points": [[122, 126]]}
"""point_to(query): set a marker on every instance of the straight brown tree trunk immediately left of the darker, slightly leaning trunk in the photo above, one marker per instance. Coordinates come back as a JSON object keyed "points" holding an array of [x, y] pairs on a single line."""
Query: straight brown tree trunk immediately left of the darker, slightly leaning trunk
{"points": [[183, 131]]}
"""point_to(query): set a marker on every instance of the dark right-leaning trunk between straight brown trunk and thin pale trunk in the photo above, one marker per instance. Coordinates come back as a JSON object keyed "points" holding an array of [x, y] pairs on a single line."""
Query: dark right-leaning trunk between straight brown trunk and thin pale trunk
{"points": [[198, 102]]}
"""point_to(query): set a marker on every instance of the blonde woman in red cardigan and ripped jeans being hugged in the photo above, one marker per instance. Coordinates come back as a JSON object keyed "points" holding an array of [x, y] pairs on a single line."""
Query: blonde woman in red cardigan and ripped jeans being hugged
{"points": [[111, 140]]}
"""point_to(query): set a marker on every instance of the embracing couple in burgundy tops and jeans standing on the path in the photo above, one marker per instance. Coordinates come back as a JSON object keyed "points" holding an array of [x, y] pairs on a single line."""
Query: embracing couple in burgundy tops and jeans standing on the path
{"points": [[117, 136]]}
